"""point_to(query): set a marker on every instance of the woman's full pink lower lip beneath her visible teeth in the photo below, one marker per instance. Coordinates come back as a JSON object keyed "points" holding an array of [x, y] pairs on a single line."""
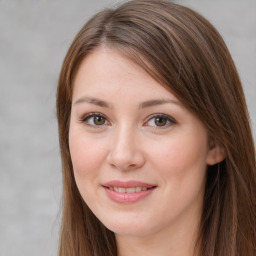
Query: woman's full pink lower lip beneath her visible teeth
{"points": [[127, 197]]}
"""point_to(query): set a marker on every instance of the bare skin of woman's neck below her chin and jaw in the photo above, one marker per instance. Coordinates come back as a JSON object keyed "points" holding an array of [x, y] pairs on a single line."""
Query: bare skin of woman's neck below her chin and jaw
{"points": [[179, 240]]}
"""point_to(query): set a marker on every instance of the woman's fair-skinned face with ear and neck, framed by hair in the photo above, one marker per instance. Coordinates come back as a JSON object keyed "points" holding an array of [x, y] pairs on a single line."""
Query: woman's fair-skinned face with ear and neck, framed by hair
{"points": [[129, 132]]}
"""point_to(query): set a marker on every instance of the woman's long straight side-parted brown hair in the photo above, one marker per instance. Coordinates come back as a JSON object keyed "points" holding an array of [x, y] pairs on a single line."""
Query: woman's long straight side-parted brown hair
{"points": [[183, 52]]}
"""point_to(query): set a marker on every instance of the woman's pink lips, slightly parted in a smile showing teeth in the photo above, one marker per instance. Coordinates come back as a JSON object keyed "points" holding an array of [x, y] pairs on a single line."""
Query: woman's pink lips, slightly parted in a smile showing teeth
{"points": [[127, 192]]}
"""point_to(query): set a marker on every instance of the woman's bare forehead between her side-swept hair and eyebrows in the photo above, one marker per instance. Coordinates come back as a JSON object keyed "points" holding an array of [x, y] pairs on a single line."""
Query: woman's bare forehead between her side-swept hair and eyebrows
{"points": [[106, 71]]}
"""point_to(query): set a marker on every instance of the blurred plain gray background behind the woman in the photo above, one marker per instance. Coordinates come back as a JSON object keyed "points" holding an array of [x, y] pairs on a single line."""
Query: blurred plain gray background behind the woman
{"points": [[34, 37]]}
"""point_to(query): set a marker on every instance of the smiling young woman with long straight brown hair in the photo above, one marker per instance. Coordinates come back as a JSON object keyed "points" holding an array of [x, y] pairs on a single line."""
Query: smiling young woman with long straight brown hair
{"points": [[157, 152]]}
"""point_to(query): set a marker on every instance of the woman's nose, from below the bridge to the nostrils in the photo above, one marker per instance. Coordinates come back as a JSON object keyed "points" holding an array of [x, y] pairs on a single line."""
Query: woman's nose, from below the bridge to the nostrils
{"points": [[125, 150]]}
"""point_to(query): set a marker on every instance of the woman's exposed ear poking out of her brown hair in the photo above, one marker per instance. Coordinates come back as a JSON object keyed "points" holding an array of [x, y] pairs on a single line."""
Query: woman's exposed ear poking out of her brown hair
{"points": [[216, 153]]}
